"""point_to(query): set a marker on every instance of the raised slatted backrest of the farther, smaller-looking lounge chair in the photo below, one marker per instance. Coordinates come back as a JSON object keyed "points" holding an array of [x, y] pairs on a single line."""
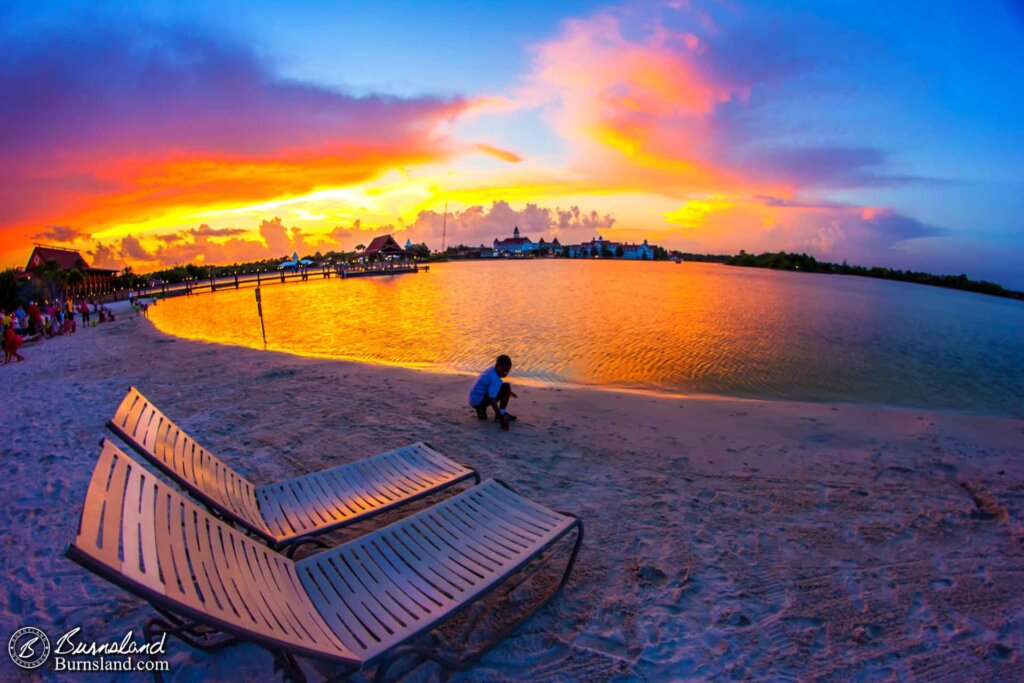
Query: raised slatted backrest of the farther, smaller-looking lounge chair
{"points": [[178, 455]]}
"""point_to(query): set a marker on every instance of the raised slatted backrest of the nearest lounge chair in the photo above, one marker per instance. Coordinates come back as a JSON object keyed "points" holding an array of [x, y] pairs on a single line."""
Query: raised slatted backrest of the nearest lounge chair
{"points": [[143, 535]]}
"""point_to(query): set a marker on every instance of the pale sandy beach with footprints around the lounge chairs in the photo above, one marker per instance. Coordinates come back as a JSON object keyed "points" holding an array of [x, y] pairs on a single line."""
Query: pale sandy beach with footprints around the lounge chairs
{"points": [[727, 539]]}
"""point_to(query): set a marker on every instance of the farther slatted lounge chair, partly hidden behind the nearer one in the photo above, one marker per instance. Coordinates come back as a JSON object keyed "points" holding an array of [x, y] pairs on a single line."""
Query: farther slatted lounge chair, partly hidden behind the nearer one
{"points": [[288, 514]]}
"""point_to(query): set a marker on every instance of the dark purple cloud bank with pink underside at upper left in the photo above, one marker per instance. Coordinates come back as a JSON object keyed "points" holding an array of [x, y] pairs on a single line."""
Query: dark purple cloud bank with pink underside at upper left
{"points": [[153, 89]]}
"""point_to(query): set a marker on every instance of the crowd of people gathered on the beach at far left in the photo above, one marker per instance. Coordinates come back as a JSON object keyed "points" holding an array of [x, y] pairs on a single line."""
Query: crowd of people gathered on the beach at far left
{"points": [[52, 319]]}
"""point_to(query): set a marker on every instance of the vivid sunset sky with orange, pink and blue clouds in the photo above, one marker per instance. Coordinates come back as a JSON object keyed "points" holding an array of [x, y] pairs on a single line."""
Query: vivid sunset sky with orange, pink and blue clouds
{"points": [[878, 134]]}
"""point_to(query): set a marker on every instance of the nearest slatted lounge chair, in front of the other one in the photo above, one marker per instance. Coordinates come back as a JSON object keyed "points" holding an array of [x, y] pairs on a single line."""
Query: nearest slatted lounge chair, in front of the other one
{"points": [[358, 605]]}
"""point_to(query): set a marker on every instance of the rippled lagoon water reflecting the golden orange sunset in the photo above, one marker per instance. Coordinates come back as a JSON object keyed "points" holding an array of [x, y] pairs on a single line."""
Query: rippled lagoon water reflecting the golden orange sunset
{"points": [[693, 328]]}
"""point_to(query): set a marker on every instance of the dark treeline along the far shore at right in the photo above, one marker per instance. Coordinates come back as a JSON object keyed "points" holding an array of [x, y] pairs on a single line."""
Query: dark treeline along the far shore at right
{"points": [[805, 264]]}
